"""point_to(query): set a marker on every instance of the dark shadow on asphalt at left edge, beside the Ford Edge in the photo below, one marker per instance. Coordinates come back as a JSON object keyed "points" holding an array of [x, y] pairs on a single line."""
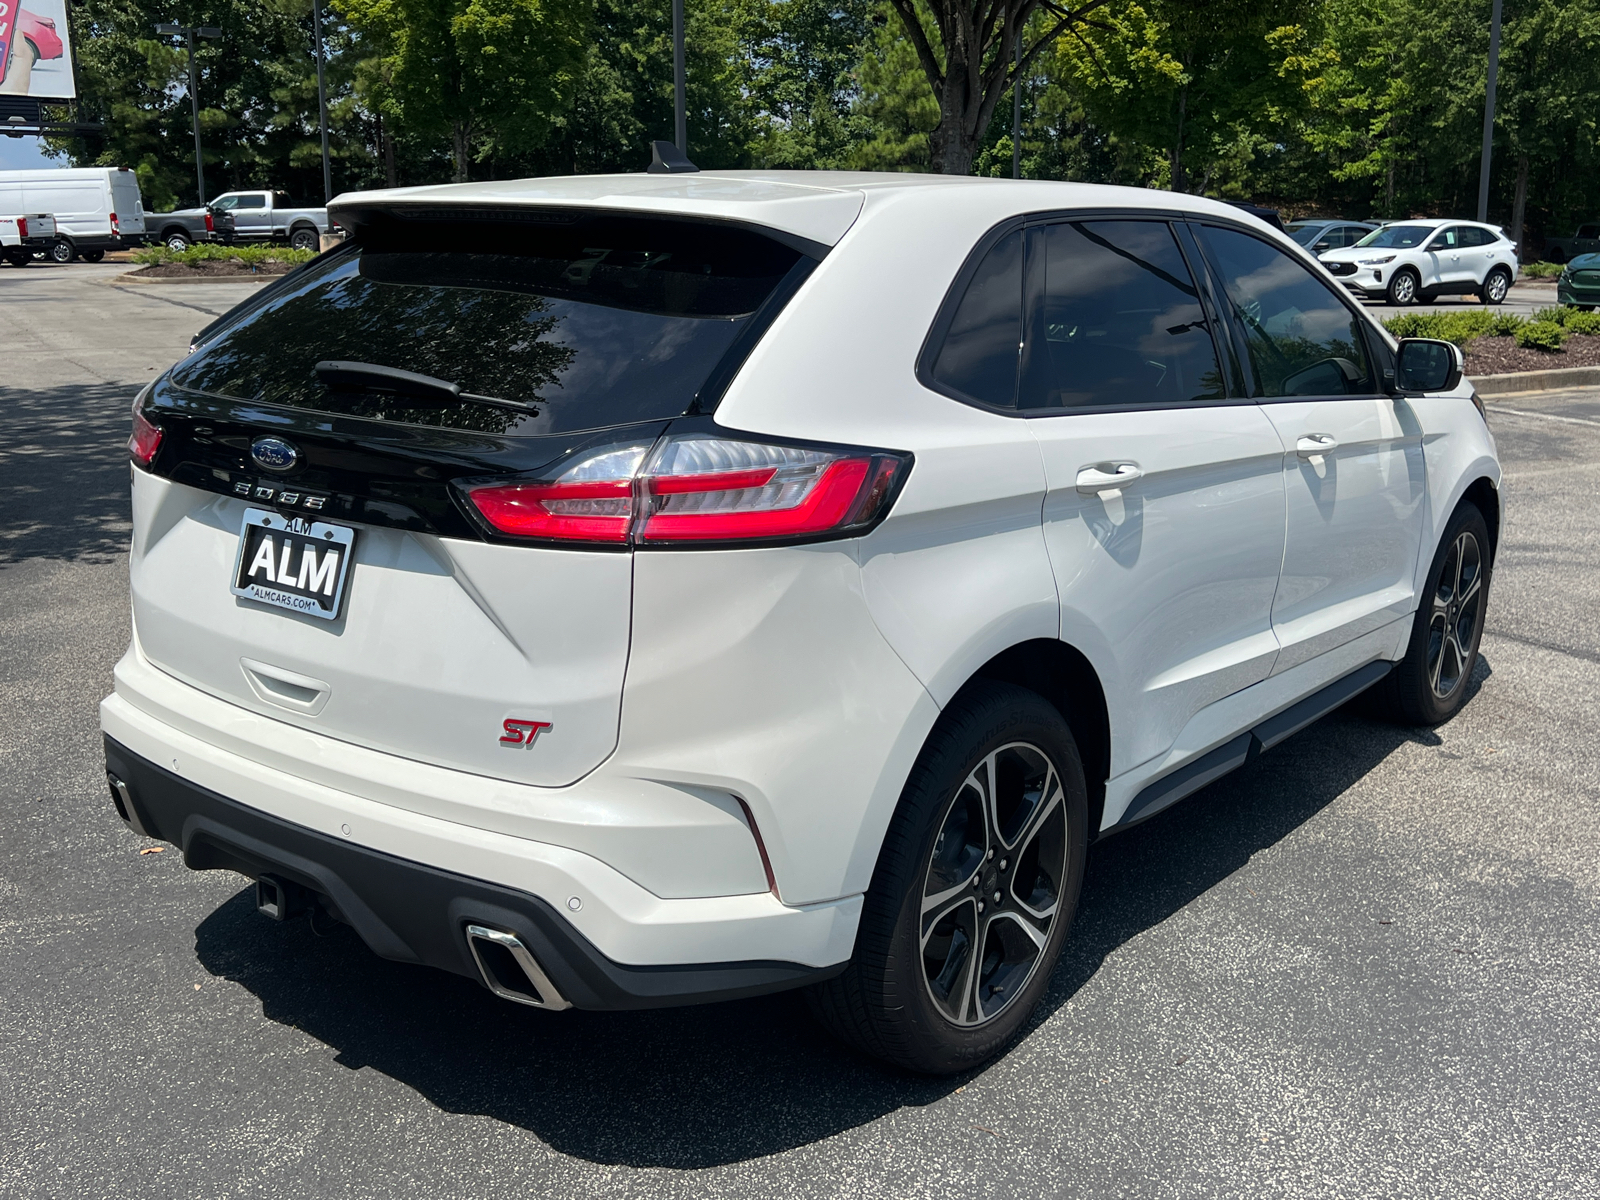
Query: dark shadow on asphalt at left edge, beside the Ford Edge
{"points": [[65, 473]]}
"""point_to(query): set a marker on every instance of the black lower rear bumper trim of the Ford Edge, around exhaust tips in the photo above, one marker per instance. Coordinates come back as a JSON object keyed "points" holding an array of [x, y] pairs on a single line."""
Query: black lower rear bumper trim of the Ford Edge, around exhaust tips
{"points": [[418, 914]]}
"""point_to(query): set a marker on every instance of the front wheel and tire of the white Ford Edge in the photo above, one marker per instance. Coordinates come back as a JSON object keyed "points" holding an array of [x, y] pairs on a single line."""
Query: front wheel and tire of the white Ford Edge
{"points": [[1430, 686]]}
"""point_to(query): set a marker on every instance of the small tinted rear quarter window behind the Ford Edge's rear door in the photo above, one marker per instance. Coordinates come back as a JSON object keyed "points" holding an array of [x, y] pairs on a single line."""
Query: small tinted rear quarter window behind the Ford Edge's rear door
{"points": [[980, 353]]}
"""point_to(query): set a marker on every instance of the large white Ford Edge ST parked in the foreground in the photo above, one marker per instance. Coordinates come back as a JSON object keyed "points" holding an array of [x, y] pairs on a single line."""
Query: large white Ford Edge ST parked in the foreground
{"points": [[654, 590]]}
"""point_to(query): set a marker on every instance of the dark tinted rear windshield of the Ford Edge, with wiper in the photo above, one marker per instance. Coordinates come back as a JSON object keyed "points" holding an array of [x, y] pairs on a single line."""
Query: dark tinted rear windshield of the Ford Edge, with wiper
{"points": [[593, 322]]}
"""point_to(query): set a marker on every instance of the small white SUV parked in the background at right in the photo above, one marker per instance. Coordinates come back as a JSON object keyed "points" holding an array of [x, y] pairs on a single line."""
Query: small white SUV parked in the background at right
{"points": [[1422, 260]]}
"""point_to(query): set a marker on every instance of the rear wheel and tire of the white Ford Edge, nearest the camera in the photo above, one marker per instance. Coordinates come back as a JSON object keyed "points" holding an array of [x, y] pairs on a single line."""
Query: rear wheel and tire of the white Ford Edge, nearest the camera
{"points": [[914, 994]]}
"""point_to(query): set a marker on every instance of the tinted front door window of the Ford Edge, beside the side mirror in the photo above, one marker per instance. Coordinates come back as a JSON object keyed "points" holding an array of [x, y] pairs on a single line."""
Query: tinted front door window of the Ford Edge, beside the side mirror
{"points": [[1300, 337]]}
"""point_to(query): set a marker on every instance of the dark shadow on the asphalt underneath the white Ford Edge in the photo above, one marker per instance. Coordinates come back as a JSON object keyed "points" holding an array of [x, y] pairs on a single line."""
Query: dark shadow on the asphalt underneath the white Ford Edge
{"points": [[722, 1084]]}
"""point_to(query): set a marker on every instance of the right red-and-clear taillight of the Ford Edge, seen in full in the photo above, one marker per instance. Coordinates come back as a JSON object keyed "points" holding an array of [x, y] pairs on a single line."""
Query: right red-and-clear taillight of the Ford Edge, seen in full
{"points": [[698, 489]]}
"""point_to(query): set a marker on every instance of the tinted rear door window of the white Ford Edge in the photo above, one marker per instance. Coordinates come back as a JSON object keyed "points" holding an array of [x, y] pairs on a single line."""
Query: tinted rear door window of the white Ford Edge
{"points": [[1122, 321]]}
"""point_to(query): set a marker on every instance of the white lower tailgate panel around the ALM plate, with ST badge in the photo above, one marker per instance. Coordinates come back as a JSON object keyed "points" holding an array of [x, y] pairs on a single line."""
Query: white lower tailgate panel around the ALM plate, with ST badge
{"points": [[519, 633]]}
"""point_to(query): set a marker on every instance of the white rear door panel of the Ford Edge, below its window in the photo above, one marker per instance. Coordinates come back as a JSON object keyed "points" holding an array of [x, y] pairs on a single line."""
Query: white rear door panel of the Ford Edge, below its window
{"points": [[1167, 585]]}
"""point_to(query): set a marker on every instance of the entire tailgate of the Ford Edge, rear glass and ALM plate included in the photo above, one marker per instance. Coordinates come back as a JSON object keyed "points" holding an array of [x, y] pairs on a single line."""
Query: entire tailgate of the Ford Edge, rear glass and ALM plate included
{"points": [[444, 642]]}
